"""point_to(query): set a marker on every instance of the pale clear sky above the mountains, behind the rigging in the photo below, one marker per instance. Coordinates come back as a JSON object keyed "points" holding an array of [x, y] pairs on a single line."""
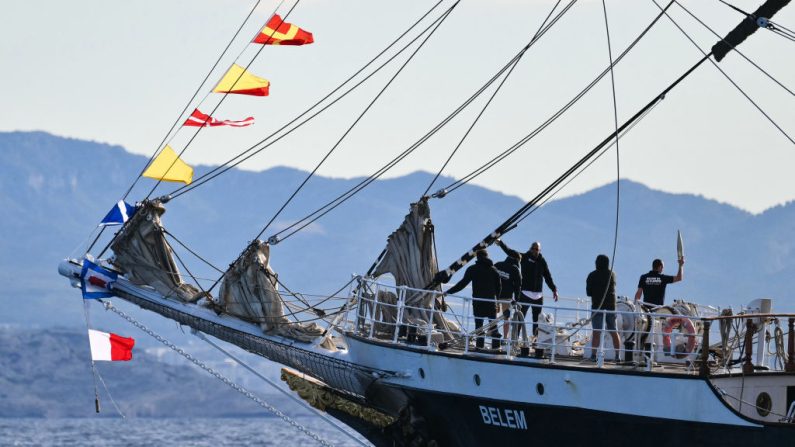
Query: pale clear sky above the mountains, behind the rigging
{"points": [[121, 72]]}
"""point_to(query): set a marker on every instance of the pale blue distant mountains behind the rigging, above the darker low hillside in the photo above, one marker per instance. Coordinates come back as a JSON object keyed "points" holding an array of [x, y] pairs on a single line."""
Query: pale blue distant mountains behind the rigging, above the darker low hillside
{"points": [[55, 190]]}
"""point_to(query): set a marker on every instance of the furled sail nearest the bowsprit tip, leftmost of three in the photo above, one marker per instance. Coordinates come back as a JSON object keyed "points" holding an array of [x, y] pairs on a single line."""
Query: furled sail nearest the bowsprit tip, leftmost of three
{"points": [[144, 256]]}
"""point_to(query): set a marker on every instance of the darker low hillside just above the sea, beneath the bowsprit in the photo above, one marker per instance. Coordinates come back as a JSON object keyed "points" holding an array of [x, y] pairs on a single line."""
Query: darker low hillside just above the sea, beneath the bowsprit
{"points": [[47, 373]]}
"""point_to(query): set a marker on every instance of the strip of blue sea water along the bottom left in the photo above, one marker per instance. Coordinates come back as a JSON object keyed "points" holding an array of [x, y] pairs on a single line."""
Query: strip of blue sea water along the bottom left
{"points": [[147, 432]]}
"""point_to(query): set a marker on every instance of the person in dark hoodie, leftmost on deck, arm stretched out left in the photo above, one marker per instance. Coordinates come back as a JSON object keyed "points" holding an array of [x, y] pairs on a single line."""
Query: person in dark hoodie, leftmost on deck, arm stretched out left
{"points": [[486, 287]]}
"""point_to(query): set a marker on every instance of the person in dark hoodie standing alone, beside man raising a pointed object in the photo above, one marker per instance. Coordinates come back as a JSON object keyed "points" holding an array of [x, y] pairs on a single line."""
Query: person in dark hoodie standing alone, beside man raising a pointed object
{"points": [[601, 287]]}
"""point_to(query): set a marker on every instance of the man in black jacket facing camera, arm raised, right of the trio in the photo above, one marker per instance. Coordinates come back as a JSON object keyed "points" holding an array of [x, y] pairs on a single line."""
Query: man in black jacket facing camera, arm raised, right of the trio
{"points": [[535, 271]]}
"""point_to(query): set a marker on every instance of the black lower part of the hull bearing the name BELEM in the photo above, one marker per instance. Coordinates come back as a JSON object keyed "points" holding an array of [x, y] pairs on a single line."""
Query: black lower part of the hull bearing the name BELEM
{"points": [[458, 420]]}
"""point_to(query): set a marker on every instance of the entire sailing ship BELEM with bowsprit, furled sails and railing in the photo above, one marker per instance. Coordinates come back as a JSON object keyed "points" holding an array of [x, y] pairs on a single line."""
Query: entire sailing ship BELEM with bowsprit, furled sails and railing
{"points": [[399, 361]]}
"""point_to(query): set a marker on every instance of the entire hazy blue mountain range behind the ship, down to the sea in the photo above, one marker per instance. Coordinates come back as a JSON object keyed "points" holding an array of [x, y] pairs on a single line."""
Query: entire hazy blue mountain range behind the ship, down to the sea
{"points": [[54, 191]]}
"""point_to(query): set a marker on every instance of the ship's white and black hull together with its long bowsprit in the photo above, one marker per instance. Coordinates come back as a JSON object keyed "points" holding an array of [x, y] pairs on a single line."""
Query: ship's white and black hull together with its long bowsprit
{"points": [[470, 399]]}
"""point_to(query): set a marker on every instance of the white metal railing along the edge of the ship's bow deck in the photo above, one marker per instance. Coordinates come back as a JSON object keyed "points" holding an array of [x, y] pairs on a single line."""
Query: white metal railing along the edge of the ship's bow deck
{"points": [[649, 336]]}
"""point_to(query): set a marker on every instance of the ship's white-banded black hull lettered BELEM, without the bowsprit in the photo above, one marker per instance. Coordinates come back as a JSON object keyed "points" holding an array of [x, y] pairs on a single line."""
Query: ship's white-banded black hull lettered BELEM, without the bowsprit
{"points": [[473, 400]]}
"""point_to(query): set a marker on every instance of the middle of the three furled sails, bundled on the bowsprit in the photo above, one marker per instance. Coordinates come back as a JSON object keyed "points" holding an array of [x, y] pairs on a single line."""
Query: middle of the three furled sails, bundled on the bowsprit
{"points": [[249, 292]]}
